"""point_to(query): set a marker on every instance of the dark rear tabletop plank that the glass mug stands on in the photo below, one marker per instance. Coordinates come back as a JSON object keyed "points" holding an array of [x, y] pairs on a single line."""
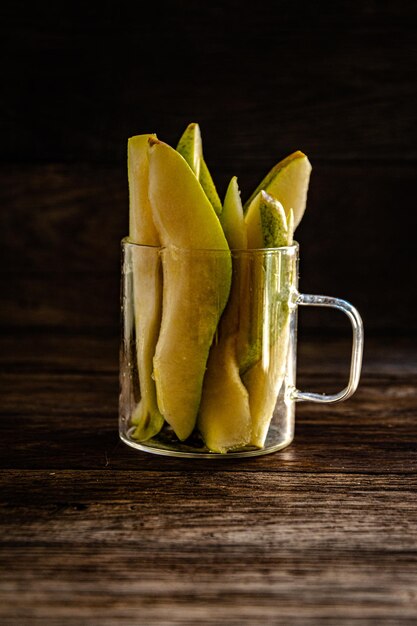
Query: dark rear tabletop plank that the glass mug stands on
{"points": [[59, 408]]}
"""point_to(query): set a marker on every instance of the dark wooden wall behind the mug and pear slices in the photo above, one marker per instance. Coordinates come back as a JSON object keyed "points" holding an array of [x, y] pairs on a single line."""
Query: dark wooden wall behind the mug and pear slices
{"points": [[337, 80]]}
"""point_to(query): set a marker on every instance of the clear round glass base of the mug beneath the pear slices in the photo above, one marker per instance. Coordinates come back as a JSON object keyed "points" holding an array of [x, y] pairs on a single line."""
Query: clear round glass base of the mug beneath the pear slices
{"points": [[165, 446]]}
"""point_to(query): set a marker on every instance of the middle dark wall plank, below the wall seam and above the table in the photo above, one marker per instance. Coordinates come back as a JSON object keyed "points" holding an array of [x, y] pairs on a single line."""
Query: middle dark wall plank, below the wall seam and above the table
{"points": [[61, 232]]}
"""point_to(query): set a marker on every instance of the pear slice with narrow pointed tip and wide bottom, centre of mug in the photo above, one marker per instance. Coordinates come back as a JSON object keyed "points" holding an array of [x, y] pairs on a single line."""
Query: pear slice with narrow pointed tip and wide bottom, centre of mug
{"points": [[224, 418]]}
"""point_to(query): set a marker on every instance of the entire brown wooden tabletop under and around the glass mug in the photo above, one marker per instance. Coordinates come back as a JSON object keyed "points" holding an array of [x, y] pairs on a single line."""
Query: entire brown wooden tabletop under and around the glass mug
{"points": [[323, 532]]}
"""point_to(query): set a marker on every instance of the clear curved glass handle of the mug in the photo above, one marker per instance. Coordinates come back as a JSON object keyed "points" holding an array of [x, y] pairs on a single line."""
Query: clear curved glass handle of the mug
{"points": [[357, 348]]}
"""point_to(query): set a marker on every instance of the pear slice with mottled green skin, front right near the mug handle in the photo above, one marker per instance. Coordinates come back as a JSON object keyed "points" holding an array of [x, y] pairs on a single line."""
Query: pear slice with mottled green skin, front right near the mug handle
{"points": [[264, 337]]}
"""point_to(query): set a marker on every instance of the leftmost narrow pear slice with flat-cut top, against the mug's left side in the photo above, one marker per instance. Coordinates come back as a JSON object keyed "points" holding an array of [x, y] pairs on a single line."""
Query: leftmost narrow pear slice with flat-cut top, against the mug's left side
{"points": [[147, 287]]}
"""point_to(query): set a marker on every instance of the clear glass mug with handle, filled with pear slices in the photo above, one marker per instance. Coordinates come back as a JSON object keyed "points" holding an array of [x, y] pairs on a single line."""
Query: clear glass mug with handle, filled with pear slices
{"points": [[208, 350]]}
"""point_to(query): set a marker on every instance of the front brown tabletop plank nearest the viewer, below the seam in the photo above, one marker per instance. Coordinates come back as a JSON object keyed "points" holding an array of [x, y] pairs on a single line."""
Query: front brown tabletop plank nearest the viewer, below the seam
{"points": [[128, 547]]}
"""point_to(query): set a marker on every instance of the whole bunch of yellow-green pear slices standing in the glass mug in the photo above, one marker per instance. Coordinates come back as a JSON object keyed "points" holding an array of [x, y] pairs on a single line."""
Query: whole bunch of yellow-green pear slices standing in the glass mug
{"points": [[209, 382]]}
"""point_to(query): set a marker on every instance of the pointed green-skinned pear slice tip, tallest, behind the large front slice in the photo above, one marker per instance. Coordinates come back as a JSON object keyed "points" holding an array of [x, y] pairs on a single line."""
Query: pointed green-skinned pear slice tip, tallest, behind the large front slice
{"points": [[190, 146]]}
